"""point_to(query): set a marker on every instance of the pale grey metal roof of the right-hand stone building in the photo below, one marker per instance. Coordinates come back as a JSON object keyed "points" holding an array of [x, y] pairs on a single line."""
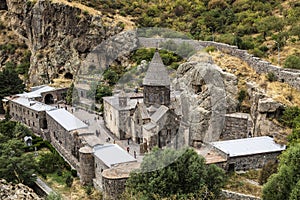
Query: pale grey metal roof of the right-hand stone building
{"points": [[248, 146]]}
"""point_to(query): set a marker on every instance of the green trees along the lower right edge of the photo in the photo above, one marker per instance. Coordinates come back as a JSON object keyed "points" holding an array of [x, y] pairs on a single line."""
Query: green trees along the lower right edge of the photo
{"points": [[285, 184]]}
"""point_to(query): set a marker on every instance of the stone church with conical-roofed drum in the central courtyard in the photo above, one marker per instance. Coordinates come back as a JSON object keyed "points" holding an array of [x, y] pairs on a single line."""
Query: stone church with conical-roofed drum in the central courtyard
{"points": [[148, 119]]}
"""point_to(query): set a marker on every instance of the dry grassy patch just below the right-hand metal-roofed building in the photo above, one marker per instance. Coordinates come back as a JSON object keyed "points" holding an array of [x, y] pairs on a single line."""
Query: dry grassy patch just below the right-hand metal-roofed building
{"points": [[244, 183]]}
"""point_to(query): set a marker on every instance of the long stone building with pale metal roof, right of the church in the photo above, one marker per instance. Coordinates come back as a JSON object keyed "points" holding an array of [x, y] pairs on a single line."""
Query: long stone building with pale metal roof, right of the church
{"points": [[246, 153]]}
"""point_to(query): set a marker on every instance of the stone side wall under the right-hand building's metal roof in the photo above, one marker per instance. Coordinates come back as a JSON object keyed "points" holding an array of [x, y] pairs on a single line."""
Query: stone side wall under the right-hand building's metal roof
{"points": [[251, 161]]}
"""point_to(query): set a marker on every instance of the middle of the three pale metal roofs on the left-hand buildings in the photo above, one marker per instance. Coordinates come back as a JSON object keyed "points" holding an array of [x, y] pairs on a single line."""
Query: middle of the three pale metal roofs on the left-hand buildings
{"points": [[66, 119]]}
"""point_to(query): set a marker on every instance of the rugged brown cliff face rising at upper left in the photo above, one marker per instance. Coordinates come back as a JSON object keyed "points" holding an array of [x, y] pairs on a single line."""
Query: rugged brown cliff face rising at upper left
{"points": [[58, 34]]}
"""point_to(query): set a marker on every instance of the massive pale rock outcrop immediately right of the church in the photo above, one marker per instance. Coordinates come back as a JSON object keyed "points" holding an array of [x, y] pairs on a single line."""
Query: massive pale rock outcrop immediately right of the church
{"points": [[207, 94]]}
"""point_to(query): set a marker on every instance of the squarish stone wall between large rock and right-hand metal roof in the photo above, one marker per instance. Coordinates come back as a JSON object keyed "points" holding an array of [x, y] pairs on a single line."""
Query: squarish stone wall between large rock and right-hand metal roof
{"points": [[237, 126]]}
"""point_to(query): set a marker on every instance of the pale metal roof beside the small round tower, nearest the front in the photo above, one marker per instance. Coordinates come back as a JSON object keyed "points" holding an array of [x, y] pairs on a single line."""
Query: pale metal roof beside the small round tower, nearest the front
{"points": [[112, 154]]}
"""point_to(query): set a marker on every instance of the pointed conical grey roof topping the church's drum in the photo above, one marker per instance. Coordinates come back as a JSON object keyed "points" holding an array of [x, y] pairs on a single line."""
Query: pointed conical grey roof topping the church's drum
{"points": [[157, 74]]}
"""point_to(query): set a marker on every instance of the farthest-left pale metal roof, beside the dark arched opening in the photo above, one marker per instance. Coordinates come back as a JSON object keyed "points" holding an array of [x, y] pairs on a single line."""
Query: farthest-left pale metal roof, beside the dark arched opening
{"points": [[31, 104]]}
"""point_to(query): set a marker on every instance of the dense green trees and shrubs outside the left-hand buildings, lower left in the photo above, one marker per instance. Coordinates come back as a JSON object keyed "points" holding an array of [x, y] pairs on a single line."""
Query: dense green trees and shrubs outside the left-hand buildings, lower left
{"points": [[20, 163]]}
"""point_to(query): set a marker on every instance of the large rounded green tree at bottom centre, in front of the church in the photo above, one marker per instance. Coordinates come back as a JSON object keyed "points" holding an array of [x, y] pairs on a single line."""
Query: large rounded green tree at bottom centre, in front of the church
{"points": [[175, 174]]}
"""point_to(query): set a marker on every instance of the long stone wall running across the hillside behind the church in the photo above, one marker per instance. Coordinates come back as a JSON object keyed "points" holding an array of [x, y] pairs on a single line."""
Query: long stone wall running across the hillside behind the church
{"points": [[289, 76]]}
